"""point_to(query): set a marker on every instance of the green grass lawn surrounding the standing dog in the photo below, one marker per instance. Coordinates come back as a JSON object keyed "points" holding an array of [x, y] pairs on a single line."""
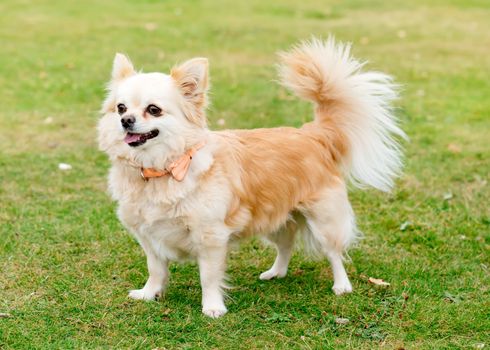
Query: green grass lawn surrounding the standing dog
{"points": [[66, 263]]}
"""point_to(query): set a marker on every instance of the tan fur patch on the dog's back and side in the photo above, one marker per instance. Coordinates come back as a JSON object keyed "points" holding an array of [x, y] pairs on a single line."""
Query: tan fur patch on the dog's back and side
{"points": [[274, 171]]}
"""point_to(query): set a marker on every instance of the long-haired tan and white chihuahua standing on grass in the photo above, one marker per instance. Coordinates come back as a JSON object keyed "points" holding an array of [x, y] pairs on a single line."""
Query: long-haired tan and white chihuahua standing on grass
{"points": [[186, 192]]}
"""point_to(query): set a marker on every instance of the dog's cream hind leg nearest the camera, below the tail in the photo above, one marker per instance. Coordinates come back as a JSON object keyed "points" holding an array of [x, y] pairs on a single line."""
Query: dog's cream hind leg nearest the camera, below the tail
{"points": [[331, 223]]}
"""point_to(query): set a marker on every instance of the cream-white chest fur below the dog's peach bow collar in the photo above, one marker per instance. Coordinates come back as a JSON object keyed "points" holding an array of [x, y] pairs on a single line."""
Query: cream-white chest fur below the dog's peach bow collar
{"points": [[168, 217]]}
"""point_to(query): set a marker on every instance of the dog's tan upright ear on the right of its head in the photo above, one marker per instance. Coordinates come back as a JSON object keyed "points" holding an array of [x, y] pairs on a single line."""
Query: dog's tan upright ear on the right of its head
{"points": [[191, 78]]}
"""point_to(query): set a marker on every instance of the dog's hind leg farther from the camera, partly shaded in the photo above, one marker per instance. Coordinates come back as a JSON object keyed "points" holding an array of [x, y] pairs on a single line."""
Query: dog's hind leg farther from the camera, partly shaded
{"points": [[284, 242]]}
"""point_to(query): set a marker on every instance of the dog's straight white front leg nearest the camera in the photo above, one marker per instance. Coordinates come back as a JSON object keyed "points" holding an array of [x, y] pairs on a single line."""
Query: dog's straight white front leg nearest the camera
{"points": [[212, 264]]}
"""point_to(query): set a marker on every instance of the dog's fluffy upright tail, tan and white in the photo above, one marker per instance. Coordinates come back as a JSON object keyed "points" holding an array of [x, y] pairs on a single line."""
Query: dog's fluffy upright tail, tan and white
{"points": [[357, 104]]}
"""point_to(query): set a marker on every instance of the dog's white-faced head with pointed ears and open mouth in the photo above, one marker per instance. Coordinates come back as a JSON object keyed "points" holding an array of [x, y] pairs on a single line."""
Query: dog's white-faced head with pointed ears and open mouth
{"points": [[151, 117]]}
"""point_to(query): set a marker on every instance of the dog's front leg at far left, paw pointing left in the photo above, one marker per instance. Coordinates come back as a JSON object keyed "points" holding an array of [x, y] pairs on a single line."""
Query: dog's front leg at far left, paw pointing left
{"points": [[155, 285]]}
